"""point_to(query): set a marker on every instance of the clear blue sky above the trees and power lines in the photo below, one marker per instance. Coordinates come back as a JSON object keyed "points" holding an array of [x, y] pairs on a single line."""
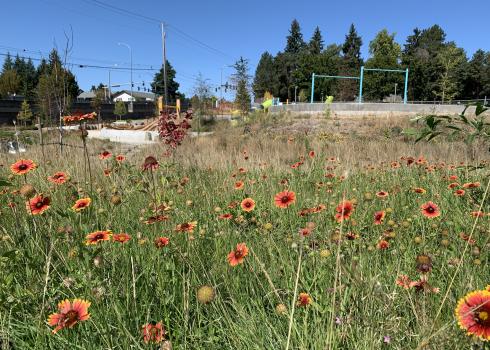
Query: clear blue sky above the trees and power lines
{"points": [[227, 29]]}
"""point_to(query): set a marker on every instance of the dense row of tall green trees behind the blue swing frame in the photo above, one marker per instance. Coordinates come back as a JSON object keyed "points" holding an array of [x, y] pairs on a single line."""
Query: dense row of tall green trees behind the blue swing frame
{"points": [[438, 69]]}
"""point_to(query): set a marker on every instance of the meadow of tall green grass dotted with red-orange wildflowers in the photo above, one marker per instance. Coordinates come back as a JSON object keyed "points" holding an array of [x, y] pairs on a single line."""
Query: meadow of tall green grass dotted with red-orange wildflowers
{"points": [[283, 241]]}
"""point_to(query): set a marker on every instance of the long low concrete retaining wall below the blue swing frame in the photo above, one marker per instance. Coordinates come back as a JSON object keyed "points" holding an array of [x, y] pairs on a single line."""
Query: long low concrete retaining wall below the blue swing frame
{"points": [[369, 109]]}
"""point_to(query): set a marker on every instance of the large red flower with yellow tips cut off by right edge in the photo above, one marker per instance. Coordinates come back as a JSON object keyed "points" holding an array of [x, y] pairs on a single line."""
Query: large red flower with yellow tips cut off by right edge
{"points": [[473, 314]]}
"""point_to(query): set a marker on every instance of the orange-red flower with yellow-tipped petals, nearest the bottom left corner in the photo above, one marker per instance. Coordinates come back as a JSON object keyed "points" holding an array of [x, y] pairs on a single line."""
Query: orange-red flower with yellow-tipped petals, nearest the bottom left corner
{"points": [[70, 313]]}
